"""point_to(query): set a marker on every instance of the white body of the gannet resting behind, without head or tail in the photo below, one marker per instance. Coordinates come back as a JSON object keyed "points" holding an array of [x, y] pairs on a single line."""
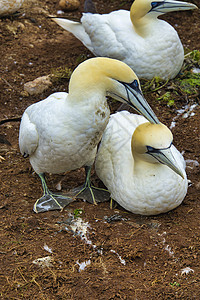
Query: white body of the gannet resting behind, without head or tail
{"points": [[159, 53]]}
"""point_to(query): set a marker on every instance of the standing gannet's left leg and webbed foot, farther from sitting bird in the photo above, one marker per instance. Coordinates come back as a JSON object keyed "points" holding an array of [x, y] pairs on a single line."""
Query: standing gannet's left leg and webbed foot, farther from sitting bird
{"points": [[49, 200]]}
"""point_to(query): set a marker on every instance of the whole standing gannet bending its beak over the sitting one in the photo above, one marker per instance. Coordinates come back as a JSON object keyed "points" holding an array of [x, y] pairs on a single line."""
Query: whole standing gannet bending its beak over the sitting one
{"points": [[61, 133]]}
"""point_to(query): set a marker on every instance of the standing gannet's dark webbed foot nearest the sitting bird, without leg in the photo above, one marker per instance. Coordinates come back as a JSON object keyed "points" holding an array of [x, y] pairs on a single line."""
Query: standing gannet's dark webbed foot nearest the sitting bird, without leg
{"points": [[91, 194]]}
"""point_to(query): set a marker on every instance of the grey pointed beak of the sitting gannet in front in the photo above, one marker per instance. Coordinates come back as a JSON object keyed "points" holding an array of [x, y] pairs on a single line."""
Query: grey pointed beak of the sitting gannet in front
{"points": [[166, 157]]}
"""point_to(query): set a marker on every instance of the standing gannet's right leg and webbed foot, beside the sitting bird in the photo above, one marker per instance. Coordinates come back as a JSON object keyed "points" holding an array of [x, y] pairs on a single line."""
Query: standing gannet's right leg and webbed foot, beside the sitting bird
{"points": [[90, 193]]}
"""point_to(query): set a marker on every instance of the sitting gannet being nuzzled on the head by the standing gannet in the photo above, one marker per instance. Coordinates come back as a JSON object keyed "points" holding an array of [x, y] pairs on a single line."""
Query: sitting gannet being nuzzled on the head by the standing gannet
{"points": [[138, 164]]}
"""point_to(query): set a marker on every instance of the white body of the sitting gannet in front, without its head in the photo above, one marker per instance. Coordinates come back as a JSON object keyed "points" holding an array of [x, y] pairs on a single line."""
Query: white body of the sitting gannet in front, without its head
{"points": [[143, 188]]}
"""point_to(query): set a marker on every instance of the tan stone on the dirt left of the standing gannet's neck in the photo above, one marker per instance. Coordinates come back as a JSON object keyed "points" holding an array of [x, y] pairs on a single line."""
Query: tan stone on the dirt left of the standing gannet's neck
{"points": [[38, 85]]}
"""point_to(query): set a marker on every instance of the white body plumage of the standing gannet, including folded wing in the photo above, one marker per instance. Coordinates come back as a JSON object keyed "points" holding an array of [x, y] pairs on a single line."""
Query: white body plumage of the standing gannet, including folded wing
{"points": [[58, 136]]}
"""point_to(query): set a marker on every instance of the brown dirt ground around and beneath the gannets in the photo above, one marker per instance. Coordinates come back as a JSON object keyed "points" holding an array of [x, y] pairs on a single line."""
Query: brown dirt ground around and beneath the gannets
{"points": [[135, 257]]}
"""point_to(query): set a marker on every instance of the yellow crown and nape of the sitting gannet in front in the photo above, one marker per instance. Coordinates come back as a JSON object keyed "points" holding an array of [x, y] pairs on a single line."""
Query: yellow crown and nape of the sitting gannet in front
{"points": [[157, 136]]}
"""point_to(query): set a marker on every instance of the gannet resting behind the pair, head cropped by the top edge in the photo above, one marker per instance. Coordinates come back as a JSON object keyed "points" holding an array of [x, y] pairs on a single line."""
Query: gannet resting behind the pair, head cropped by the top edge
{"points": [[151, 47]]}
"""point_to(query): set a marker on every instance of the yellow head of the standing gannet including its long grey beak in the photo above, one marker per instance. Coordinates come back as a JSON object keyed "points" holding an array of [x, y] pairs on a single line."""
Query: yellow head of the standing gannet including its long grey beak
{"points": [[101, 77]]}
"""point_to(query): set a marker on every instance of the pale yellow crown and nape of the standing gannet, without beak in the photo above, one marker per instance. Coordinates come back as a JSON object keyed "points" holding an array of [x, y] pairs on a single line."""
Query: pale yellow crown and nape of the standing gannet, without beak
{"points": [[95, 72]]}
